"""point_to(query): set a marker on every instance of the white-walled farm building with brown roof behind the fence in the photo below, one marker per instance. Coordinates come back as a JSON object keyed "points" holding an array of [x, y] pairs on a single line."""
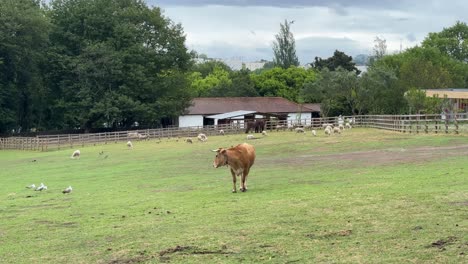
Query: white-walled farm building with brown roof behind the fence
{"points": [[223, 110]]}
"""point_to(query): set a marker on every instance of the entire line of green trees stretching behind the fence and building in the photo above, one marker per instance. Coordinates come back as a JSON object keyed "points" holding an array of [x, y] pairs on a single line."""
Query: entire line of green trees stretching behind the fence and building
{"points": [[83, 64]]}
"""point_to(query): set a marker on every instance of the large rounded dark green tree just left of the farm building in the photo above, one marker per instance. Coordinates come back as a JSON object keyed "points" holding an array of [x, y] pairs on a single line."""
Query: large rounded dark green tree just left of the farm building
{"points": [[115, 63]]}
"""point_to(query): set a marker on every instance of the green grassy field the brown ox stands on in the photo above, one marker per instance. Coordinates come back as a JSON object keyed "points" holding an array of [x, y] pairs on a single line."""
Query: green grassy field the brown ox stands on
{"points": [[366, 196]]}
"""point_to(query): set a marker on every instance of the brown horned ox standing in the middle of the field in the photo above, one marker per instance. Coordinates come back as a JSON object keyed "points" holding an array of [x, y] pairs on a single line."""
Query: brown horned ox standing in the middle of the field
{"points": [[239, 159]]}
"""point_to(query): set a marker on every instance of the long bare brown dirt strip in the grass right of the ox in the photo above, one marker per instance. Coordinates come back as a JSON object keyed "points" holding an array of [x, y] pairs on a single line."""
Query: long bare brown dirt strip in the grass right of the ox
{"points": [[375, 157]]}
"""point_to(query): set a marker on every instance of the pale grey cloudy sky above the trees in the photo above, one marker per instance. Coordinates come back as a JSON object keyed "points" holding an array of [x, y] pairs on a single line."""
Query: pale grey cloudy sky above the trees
{"points": [[245, 29]]}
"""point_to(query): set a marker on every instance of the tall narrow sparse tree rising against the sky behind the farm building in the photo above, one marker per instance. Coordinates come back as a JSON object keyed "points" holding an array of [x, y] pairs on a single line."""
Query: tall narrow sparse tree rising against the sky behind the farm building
{"points": [[284, 48]]}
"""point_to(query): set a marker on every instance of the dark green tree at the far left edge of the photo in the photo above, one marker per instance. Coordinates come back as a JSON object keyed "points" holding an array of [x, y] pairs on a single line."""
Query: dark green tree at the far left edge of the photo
{"points": [[23, 40]]}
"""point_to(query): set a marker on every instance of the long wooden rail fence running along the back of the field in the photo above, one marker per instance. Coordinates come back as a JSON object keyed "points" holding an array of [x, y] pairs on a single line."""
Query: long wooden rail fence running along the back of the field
{"points": [[450, 124]]}
